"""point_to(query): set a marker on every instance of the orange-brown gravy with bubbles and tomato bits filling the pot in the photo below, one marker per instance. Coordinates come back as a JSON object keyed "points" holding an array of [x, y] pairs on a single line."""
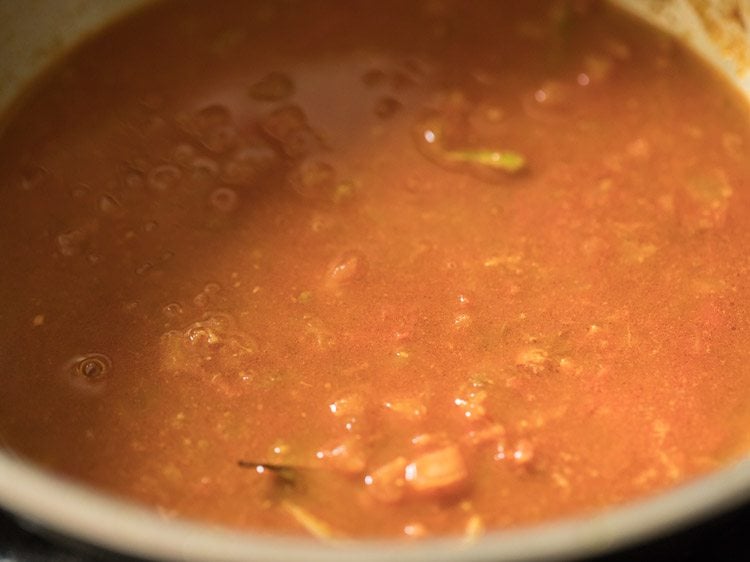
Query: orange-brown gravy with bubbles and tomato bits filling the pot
{"points": [[359, 268]]}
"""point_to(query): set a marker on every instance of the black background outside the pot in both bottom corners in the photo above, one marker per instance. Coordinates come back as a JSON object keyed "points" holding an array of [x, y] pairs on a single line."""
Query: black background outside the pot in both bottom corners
{"points": [[723, 538]]}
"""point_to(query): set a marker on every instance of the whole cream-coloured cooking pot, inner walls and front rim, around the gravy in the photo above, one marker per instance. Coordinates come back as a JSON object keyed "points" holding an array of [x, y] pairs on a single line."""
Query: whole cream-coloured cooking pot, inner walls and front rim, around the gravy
{"points": [[35, 33]]}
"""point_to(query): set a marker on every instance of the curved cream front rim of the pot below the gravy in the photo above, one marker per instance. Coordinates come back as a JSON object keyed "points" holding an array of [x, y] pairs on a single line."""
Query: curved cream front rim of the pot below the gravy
{"points": [[74, 510]]}
